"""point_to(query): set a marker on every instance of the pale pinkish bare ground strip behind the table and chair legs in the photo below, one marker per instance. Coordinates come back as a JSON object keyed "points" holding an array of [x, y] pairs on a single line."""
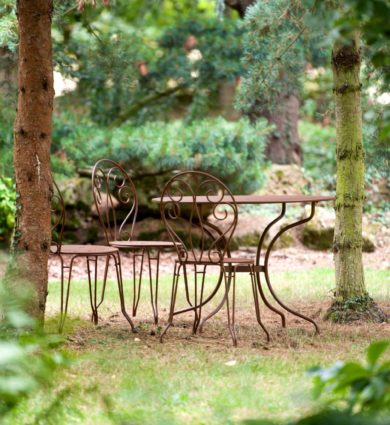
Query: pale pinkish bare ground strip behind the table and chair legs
{"points": [[286, 259]]}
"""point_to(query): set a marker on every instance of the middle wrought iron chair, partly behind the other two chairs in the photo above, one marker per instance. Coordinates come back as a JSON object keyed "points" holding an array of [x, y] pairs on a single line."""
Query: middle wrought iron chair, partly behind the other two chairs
{"points": [[113, 188]]}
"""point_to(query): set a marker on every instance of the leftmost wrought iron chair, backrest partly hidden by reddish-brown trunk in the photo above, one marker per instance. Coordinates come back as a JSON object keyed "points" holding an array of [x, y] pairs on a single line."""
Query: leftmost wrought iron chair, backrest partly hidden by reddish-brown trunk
{"points": [[91, 253]]}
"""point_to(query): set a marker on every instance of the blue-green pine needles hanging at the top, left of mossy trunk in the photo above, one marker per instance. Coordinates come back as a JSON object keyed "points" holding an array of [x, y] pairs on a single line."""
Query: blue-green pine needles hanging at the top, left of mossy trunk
{"points": [[277, 46]]}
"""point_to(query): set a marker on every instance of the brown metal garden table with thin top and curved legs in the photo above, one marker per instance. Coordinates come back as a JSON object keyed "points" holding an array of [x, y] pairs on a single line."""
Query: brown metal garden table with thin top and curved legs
{"points": [[260, 267]]}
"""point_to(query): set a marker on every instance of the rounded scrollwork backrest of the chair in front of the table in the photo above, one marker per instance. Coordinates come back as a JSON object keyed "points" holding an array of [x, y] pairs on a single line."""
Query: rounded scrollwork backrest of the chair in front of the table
{"points": [[196, 238]]}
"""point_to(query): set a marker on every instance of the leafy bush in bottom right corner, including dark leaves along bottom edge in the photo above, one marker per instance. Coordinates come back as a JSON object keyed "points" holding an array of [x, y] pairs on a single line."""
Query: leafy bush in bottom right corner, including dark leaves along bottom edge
{"points": [[360, 393]]}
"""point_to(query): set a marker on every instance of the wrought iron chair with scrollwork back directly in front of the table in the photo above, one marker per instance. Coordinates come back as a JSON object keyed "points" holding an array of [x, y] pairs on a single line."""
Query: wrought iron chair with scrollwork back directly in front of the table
{"points": [[184, 201]]}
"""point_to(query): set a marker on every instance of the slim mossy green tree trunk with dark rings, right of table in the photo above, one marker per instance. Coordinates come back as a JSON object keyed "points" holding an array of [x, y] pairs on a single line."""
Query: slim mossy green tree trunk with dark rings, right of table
{"points": [[347, 245]]}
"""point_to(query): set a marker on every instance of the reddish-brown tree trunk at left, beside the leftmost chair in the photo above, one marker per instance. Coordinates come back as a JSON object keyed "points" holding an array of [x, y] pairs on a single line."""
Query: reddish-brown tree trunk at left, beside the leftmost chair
{"points": [[32, 138]]}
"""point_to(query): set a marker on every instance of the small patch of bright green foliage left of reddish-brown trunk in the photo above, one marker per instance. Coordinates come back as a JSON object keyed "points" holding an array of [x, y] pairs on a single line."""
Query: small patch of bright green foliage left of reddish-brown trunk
{"points": [[7, 207]]}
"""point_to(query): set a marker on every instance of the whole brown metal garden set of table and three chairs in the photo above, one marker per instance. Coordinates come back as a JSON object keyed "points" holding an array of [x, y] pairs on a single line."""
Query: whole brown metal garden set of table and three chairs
{"points": [[187, 202]]}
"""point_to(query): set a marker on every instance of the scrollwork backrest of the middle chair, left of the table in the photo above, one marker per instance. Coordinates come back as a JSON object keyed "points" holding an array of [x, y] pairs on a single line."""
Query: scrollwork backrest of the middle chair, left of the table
{"points": [[113, 193]]}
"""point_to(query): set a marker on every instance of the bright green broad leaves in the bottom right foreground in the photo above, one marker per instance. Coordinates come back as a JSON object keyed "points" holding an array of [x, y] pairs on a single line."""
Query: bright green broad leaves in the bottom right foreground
{"points": [[358, 387]]}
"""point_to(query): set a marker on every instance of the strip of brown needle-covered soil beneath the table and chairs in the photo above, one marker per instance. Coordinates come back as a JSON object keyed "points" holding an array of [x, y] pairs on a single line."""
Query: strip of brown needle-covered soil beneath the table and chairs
{"points": [[299, 335]]}
